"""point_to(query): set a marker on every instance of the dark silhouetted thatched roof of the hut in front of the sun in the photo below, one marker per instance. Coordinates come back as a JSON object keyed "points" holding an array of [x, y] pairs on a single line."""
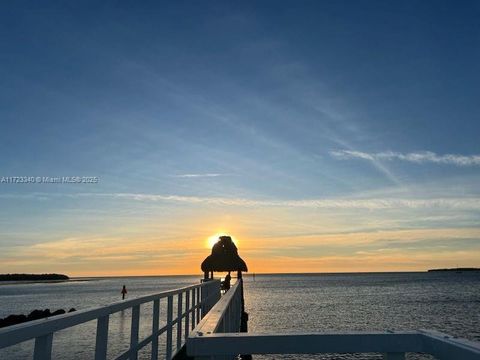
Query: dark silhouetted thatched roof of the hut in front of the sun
{"points": [[224, 257]]}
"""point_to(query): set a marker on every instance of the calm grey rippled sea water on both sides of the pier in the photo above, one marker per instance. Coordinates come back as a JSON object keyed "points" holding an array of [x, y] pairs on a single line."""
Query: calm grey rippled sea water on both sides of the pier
{"points": [[448, 302]]}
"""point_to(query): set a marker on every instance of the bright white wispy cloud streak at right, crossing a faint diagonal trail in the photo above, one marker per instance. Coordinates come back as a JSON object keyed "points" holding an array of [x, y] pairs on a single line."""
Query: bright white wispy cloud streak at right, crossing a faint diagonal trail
{"points": [[414, 157]]}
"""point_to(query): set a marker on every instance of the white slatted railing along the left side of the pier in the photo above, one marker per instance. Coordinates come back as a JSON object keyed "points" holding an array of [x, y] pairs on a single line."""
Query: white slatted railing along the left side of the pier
{"points": [[199, 299]]}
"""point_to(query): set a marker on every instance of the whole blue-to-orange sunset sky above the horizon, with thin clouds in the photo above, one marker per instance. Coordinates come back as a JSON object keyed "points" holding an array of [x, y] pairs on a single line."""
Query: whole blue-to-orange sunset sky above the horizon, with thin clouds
{"points": [[324, 136]]}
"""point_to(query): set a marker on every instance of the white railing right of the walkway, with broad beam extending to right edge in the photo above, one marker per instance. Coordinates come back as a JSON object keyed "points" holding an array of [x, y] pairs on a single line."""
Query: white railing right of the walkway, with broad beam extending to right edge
{"points": [[217, 336]]}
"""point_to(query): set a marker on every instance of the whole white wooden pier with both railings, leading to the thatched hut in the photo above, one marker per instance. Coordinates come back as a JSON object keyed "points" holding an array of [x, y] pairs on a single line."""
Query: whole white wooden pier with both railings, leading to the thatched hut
{"points": [[209, 324]]}
